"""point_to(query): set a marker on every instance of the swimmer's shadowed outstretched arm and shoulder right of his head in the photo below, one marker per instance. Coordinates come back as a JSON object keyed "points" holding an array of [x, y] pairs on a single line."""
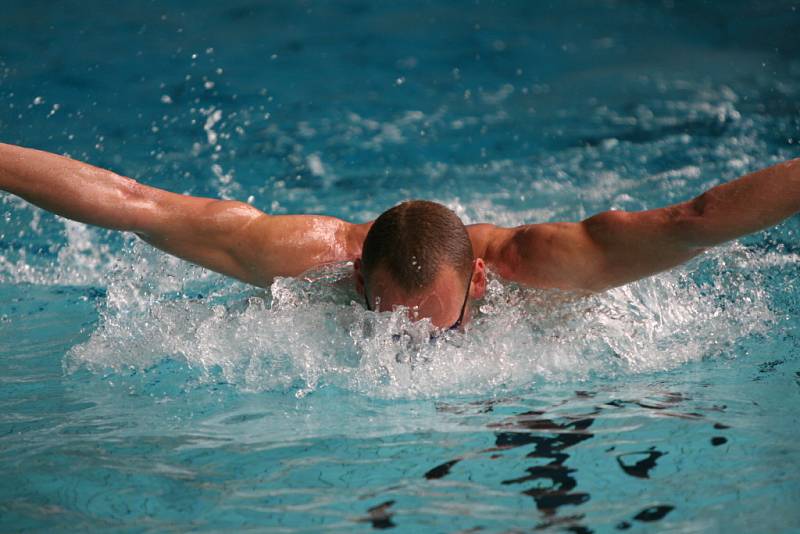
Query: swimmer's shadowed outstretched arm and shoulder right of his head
{"points": [[617, 247]]}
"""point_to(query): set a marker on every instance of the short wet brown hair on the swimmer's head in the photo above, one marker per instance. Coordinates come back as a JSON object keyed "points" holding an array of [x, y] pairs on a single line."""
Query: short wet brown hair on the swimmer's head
{"points": [[413, 240]]}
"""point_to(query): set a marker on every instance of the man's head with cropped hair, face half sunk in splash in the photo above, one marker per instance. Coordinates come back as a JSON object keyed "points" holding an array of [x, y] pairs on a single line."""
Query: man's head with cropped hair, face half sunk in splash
{"points": [[418, 254]]}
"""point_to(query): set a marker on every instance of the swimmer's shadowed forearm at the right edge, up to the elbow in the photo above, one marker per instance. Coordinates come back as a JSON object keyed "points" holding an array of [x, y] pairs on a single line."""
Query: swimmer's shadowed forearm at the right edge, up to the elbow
{"points": [[746, 205]]}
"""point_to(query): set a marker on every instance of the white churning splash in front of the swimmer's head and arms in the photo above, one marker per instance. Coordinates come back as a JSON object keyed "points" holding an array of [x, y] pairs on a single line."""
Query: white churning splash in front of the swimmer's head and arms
{"points": [[312, 332]]}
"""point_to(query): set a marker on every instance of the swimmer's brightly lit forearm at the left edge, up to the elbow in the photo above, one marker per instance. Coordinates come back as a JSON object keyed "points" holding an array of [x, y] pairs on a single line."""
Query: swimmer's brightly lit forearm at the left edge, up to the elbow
{"points": [[72, 189]]}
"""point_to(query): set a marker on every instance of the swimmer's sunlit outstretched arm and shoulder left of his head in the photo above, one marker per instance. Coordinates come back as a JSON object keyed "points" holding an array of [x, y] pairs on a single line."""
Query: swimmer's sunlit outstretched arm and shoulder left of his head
{"points": [[226, 236]]}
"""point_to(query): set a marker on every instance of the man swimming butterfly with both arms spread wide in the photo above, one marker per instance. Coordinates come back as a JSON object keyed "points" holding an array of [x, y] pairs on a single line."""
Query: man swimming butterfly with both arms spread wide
{"points": [[417, 254]]}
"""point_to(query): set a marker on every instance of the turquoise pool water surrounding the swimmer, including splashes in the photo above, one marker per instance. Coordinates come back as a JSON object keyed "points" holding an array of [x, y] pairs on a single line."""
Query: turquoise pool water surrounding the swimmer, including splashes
{"points": [[140, 393]]}
